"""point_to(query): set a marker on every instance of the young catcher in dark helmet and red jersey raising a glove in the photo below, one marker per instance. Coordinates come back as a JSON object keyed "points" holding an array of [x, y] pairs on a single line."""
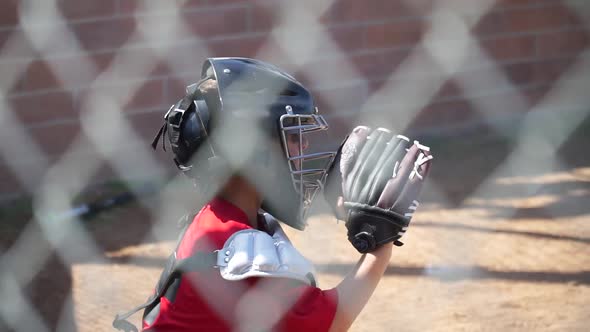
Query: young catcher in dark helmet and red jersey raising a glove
{"points": [[245, 135]]}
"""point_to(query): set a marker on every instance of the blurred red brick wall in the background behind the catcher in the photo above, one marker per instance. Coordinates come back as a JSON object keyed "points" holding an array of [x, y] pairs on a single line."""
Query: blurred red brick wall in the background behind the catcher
{"points": [[531, 43]]}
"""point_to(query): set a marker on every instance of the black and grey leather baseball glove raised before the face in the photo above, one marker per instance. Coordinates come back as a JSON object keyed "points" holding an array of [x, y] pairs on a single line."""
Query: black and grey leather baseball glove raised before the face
{"points": [[374, 183]]}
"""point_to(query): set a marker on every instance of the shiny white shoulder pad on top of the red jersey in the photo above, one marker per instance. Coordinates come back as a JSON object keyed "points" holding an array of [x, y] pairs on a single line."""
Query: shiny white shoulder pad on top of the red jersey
{"points": [[254, 253]]}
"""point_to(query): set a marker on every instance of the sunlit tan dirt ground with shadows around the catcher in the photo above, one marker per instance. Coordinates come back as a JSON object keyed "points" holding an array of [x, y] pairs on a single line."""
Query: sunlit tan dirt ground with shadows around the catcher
{"points": [[501, 242]]}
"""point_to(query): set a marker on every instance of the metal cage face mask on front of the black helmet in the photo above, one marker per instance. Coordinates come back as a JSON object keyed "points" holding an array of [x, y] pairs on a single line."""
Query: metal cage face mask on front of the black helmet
{"points": [[302, 135]]}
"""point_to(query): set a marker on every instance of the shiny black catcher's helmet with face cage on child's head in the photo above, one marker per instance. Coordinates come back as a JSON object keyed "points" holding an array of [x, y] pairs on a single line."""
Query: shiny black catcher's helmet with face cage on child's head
{"points": [[244, 116]]}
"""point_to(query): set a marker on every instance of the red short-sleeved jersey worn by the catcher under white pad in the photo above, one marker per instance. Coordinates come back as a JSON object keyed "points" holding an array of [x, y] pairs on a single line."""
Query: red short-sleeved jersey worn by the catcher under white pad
{"points": [[205, 301]]}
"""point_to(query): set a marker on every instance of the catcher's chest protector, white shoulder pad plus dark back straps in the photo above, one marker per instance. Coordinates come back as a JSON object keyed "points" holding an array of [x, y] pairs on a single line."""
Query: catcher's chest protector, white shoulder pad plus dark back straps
{"points": [[245, 254]]}
